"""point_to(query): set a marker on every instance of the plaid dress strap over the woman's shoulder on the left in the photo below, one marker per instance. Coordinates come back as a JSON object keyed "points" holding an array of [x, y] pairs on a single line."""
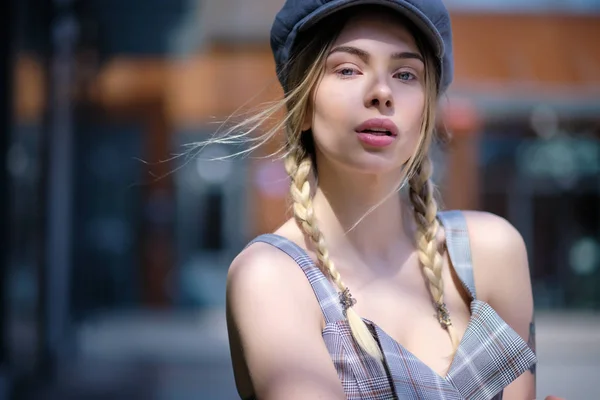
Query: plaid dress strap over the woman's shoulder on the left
{"points": [[324, 290]]}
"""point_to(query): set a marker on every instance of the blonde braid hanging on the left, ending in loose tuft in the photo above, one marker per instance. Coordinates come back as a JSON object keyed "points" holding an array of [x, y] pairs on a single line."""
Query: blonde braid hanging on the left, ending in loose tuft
{"points": [[298, 167]]}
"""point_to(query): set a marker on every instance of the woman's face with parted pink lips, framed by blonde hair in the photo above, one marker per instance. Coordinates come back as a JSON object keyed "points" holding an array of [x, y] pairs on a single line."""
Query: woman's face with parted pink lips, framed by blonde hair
{"points": [[367, 109]]}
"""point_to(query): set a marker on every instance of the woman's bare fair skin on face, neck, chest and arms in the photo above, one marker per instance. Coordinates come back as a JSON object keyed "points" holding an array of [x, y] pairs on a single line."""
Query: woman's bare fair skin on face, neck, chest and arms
{"points": [[280, 353]]}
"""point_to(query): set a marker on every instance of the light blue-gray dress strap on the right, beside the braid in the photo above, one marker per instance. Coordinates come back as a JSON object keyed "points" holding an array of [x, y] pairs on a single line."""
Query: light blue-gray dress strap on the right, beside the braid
{"points": [[459, 247]]}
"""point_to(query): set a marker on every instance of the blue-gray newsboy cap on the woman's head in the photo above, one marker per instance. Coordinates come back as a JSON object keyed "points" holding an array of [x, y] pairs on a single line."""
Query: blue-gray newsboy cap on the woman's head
{"points": [[429, 16]]}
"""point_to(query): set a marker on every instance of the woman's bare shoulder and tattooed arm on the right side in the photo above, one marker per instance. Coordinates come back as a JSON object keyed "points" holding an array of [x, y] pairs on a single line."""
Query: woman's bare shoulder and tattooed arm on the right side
{"points": [[502, 279]]}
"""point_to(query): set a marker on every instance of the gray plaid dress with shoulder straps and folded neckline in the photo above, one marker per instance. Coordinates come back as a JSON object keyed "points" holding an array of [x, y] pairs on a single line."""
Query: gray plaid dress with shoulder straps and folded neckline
{"points": [[489, 357]]}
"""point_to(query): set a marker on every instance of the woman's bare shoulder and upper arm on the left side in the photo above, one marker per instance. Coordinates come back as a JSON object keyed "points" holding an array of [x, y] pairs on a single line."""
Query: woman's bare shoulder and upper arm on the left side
{"points": [[273, 315]]}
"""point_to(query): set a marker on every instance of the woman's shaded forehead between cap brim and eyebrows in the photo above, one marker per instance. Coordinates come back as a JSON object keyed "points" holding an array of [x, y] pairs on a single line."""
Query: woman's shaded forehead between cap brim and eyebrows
{"points": [[376, 27]]}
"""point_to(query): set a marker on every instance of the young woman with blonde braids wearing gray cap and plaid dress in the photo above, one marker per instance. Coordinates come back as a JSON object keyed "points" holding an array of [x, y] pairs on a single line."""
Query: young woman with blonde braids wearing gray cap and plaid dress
{"points": [[369, 292]]}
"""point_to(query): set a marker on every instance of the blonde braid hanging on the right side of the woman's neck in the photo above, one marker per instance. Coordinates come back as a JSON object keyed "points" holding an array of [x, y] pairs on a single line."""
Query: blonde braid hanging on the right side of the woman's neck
{"points": [[425, 213]]}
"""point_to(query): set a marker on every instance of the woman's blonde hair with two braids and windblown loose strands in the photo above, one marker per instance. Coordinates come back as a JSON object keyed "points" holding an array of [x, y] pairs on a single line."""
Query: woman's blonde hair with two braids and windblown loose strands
{"points": [[304, 74]]}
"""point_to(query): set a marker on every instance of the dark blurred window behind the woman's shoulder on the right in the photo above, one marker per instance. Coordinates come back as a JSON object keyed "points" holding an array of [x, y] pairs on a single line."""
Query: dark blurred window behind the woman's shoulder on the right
{"points": [[549, 188]]}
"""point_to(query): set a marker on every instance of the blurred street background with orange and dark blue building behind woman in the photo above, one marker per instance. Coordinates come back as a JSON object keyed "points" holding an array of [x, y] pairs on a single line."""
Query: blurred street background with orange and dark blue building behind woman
{"points": [[112, 281]]}
